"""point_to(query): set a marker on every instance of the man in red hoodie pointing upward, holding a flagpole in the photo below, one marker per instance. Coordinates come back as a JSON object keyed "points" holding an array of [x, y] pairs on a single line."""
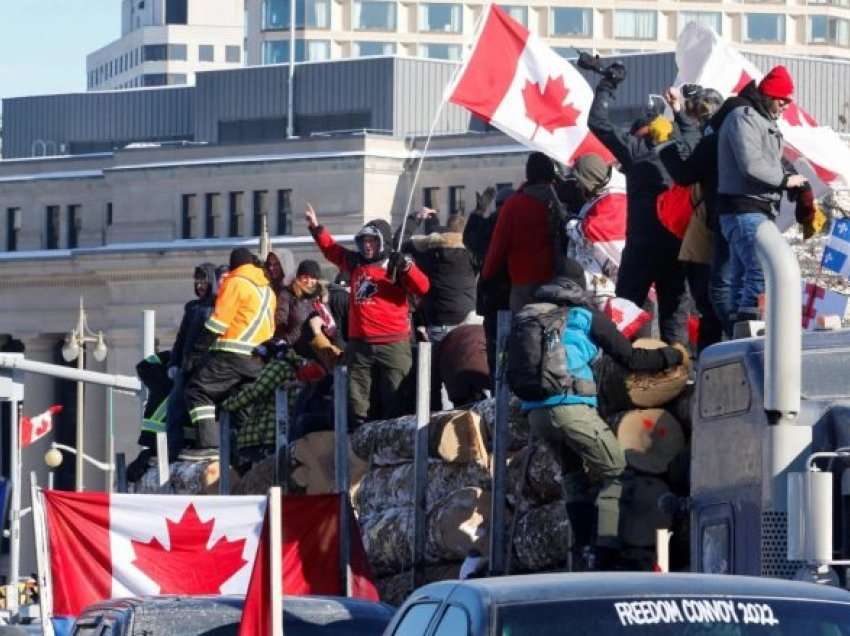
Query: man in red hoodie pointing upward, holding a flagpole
{"points": [[379, 314]]}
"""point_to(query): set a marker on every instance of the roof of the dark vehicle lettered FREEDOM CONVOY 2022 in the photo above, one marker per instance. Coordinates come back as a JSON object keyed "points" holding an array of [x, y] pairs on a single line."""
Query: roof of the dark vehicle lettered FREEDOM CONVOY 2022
{"points": [[565, 586]]}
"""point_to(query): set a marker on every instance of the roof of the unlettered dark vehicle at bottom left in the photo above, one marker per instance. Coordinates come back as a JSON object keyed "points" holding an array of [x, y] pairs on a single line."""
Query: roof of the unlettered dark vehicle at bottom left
{"points": [[301, 606]]}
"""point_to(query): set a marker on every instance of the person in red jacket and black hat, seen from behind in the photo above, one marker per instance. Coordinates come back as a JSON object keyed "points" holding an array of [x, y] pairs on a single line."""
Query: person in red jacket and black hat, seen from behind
{"points": [[524, 238]]}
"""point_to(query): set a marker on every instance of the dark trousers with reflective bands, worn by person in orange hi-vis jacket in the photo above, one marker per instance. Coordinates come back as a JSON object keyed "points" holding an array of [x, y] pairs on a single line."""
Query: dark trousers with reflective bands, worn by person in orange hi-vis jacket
{"points": [[210, 384]]}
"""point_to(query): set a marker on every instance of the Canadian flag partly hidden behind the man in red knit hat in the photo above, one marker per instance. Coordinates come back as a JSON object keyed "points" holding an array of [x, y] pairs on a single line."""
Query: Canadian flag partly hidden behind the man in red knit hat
{"points": [[705, 59]]}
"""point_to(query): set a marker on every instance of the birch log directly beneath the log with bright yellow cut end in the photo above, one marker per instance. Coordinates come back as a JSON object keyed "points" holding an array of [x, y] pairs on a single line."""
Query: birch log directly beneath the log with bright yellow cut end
{"points": [[392, 486]]}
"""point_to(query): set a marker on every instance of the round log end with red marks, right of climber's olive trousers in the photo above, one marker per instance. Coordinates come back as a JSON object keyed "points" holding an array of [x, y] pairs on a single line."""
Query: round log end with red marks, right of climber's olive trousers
{"points": [[651, 438]]}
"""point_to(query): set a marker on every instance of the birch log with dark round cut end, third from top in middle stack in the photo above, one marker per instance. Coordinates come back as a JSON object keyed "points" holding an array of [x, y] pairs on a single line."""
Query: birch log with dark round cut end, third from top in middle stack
{"points": [[454, 526]]}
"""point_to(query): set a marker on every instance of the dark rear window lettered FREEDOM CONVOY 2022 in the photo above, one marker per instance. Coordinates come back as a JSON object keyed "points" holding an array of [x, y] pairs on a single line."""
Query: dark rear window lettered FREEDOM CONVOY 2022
{"points": [[679, 616]]}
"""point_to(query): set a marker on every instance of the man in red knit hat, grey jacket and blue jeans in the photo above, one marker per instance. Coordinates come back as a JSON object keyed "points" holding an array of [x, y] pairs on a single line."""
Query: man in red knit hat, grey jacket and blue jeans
{"points": [[751, 180]]}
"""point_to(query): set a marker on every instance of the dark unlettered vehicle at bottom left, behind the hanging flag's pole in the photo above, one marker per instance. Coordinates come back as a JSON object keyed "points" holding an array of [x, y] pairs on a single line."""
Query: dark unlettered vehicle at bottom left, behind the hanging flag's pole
{"points": [[219, 616]]}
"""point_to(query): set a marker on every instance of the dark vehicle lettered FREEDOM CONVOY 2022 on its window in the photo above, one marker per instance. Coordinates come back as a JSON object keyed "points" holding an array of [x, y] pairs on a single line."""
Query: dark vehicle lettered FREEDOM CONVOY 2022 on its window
{"points": [[623, 604]]}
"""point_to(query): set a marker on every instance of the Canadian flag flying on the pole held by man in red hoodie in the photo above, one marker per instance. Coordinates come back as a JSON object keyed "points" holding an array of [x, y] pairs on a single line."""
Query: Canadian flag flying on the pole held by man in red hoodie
{"points": [[513, 81]]}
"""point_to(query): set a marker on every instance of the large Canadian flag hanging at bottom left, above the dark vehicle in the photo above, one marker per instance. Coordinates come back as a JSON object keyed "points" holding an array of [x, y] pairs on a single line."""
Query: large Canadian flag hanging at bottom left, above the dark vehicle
{"points": [[105, 546]]}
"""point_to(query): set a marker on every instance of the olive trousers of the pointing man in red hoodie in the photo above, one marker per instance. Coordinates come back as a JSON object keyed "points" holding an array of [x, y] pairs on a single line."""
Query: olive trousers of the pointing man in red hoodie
{"points": [[389, 365]]}
